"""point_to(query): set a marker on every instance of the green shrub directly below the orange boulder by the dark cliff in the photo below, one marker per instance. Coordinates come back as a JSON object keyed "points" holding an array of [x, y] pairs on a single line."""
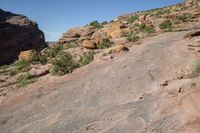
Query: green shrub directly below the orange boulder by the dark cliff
{"points": [[22, 65]]}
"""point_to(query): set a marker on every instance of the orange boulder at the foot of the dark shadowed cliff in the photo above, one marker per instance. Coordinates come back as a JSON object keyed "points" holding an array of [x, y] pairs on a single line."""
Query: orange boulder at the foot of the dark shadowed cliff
{"points": [[27, 55]]}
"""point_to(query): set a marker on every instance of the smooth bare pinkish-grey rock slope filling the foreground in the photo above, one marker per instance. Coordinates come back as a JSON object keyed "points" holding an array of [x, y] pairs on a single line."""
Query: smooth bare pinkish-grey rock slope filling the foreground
{"points": [[125, 94]]}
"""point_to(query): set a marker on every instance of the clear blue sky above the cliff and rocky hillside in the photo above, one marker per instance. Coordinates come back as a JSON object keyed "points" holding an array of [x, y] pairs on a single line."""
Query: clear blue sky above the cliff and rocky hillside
{"points": [[57, 16]]}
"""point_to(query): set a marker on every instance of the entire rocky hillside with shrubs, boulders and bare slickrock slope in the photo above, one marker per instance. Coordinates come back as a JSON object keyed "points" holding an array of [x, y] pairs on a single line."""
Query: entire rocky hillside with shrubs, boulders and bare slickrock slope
{"points": [[138, 73]]}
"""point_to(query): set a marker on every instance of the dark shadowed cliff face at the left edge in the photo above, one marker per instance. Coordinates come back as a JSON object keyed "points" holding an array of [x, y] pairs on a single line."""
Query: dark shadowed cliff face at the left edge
{"points": [[18, 33]]}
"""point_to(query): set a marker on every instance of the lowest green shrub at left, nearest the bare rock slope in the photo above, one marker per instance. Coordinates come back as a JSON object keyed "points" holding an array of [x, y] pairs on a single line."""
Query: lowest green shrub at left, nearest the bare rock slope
{"points": [[25, 79]]}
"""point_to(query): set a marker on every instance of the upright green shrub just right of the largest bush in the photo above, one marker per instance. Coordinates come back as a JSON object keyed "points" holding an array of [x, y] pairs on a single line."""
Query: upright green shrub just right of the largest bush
{"points": [[87, 58]]}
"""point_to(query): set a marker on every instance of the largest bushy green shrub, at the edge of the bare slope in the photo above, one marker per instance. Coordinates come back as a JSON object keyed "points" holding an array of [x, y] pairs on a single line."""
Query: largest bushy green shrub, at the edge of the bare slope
{"points": [[63, 63]]}
